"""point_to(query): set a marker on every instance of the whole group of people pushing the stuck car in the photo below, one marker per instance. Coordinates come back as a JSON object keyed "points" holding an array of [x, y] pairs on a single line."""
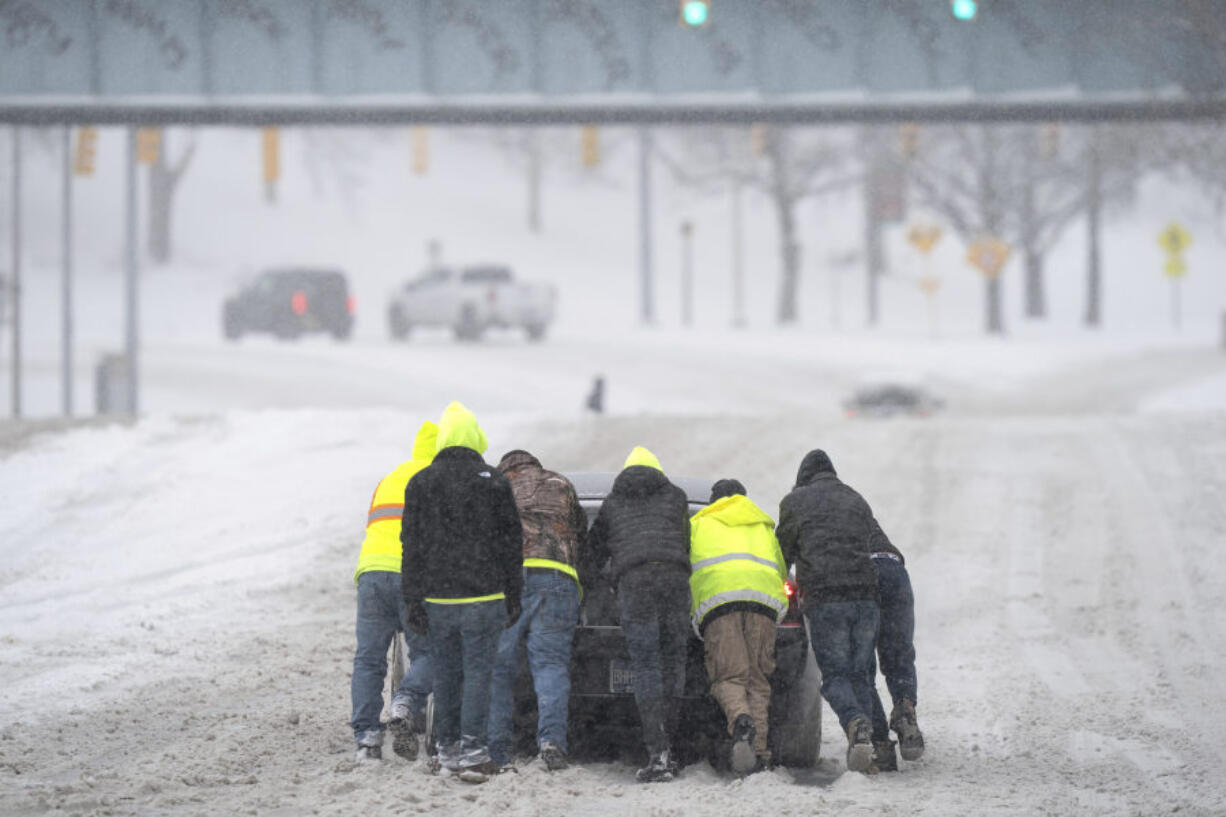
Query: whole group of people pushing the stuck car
{"points": [[474, 562]]}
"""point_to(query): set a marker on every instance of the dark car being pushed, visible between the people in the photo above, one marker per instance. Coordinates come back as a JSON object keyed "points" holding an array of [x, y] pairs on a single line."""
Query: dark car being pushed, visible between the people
{"points": [[604, 721]]}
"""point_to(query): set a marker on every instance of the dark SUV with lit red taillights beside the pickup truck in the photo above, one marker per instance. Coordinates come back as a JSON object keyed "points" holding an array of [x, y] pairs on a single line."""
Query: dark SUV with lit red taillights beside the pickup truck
{"points": [[289, 302]]}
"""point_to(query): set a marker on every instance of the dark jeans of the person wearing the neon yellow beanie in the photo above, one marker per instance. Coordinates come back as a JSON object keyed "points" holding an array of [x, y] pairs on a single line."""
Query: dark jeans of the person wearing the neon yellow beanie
{"points": [[654, 602]]}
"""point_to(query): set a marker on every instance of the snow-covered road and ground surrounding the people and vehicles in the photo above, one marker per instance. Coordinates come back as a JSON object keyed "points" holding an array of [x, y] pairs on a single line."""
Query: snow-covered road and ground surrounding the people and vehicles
{"points": [[176, 596]]}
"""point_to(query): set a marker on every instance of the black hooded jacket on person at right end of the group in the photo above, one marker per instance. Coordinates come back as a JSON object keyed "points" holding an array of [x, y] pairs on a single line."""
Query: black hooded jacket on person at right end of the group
{"points": [[827, 529]]}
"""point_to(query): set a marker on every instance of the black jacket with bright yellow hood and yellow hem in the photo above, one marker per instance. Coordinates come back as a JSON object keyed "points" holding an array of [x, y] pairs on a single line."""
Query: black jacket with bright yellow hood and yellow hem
{"points": [[462, 534]]}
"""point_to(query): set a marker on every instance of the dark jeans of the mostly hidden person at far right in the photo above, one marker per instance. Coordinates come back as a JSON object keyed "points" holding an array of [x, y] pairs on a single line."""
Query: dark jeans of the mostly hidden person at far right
{"points": [[896, 642]]}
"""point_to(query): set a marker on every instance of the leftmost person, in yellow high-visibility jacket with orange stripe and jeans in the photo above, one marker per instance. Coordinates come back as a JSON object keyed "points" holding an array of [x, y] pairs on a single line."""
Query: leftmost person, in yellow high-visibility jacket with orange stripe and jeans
{"points": [[382, 613]]}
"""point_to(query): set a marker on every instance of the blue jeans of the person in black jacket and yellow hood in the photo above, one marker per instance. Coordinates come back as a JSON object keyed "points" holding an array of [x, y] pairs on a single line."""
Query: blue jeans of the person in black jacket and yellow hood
{"points": [[464, 641]]}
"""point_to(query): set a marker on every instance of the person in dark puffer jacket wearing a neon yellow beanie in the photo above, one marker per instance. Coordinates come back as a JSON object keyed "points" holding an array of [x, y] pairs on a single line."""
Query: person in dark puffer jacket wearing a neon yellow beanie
{"points": [[643, 532]]}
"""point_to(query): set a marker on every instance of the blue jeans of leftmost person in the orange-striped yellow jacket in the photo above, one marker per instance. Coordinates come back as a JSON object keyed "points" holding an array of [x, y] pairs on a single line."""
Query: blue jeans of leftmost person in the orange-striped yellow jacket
{"points": [[381, 615]]}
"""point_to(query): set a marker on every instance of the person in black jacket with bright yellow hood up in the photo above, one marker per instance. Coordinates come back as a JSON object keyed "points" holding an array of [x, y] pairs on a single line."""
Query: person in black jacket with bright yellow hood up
{"points": [[462, 576]]}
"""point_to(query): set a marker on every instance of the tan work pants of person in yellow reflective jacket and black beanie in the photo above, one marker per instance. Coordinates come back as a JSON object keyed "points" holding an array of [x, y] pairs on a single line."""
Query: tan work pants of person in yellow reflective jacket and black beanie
{"points": [[740, 659]]}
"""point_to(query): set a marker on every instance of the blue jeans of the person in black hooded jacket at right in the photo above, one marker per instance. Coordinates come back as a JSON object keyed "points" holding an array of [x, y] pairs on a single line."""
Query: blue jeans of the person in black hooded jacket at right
{"points": [[844, 639]]}
